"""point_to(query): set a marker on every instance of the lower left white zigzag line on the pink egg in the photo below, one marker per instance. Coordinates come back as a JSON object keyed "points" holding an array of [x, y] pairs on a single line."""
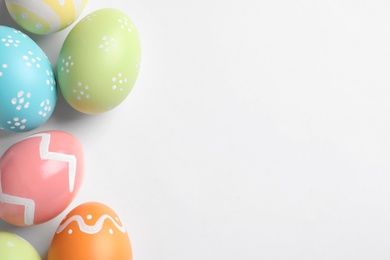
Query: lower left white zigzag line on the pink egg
{"points": [[29, 204]]}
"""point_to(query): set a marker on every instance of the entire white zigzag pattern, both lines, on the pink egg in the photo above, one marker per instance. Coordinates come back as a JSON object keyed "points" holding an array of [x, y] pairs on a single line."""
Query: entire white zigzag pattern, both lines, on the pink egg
{"points": [[45, 154]]}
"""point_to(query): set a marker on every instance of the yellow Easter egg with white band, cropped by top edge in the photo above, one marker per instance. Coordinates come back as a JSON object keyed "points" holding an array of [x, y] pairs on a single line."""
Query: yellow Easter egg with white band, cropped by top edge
{"points": [[45, 16]]}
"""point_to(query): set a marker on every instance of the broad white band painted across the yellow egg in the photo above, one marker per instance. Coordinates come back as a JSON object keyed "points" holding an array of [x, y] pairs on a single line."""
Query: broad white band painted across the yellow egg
{"points": [[42, 10]]}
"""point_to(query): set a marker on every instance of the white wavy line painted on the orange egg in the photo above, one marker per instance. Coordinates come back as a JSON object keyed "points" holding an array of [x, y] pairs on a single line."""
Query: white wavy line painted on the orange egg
{"points": [[90, 229]]}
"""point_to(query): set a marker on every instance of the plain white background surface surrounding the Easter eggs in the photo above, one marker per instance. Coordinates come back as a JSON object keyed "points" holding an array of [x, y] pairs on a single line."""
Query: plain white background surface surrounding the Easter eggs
{"points": [[257, 129]]}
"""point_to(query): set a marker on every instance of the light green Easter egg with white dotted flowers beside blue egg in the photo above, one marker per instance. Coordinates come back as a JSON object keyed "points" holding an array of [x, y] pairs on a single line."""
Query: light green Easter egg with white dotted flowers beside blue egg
{"points": [[99, 61]]}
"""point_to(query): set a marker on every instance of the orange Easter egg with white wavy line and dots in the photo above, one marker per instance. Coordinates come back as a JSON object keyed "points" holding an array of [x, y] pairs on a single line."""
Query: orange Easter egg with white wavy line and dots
{"points": [[92, 230]]}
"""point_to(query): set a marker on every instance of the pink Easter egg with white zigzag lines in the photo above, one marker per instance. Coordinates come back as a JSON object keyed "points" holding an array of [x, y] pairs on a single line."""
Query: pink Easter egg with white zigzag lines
{"points": [[39, 177]]}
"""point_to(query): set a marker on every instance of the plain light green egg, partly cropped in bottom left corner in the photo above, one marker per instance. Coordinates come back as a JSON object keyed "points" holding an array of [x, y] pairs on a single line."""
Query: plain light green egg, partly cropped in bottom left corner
{"points": [[14, 247]]}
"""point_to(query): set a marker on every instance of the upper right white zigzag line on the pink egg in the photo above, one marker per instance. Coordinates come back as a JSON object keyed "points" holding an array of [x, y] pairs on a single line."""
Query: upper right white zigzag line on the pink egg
{"points": [[47, 155]]}
